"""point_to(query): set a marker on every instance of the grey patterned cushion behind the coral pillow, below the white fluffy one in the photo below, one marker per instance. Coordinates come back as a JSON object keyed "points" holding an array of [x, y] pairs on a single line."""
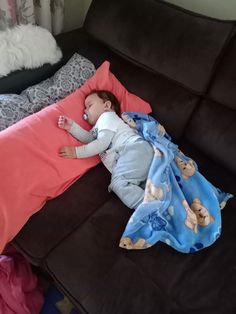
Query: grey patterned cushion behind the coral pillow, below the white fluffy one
{"points": [[65, 81]]}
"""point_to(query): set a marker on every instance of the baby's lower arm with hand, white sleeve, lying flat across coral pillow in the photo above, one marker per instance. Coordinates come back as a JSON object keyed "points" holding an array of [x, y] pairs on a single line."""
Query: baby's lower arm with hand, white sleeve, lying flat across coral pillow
{"points": [[93, 148]]}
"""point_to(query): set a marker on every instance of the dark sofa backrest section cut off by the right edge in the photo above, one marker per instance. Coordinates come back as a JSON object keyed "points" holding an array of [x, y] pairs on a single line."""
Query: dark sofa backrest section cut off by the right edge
{"points": [[213, 125]]}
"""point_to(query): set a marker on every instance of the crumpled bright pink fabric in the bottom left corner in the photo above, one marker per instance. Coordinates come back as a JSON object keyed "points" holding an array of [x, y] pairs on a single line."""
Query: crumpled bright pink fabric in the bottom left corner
{"points": [[19, 293]]}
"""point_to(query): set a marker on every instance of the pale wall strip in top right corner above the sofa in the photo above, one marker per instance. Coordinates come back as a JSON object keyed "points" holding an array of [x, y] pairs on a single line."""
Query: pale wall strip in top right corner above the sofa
{"points": [[222, 9]]}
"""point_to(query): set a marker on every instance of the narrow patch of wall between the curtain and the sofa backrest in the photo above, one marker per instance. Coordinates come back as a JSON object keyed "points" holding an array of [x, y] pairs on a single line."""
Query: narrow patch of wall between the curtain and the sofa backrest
{"points": [[75, 11]]}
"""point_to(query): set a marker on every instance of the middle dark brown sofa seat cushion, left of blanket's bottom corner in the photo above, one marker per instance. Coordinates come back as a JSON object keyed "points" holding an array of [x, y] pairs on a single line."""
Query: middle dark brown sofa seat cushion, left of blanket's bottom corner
{"points": [[98, 273]]}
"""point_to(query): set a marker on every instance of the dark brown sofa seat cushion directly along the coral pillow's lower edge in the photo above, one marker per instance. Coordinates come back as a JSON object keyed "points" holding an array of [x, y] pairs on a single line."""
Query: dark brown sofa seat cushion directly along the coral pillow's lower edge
{"points": [[47, 228]]}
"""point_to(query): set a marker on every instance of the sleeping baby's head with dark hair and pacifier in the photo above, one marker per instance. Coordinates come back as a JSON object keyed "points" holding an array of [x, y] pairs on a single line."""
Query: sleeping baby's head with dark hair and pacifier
{"points": [[98, 102]]}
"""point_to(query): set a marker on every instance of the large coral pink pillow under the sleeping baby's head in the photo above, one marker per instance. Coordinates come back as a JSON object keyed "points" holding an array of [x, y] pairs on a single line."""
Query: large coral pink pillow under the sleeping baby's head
{"points": [[31, 170]]}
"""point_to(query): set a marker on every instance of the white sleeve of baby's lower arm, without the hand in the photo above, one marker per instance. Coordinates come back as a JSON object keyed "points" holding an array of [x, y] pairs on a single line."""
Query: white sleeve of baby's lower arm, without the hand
{"points": [[96, 146]]}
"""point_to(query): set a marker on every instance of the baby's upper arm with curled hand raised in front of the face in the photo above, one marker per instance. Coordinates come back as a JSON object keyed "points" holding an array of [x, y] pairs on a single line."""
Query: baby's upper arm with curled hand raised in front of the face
{"points": [[75, 129]]}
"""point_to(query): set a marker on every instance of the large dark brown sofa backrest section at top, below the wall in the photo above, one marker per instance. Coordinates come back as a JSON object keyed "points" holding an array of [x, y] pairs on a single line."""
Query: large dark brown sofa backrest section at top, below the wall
{"points": [[182, 46]]}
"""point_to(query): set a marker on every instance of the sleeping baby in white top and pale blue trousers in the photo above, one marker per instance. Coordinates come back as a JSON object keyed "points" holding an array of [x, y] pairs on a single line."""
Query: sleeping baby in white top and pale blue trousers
{"points": [[125, 154]]}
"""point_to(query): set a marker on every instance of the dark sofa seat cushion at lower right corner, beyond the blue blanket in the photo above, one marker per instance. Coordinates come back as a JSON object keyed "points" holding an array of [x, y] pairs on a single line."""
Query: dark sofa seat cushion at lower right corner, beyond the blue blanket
{"points": [[198, 281]]}
